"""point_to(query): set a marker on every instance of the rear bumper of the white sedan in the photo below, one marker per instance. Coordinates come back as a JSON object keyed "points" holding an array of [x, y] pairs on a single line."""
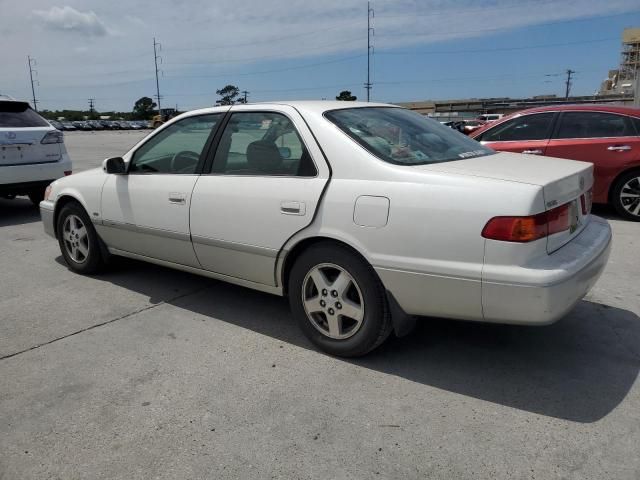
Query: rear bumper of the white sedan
{"points": [[549, 288]]}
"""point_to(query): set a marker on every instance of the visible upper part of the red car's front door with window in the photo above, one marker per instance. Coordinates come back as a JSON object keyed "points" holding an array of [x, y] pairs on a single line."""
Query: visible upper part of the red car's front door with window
{"points": [[523, 134]]}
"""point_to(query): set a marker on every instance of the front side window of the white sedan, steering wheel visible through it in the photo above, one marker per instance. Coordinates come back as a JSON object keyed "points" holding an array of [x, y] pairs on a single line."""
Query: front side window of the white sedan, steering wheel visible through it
{"points": [[177, 149]]}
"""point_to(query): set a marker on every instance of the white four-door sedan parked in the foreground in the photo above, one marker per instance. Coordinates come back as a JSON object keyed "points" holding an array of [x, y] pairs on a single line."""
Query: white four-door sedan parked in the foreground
{"points": [[364, 215]]}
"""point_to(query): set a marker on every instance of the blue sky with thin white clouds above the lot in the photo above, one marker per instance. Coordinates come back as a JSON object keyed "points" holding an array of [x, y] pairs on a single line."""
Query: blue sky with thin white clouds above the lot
{"points": [[288, 49]]}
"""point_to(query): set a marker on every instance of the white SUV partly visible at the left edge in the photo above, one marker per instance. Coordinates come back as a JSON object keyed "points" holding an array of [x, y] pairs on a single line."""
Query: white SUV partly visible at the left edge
{"points": [[32, 152]]}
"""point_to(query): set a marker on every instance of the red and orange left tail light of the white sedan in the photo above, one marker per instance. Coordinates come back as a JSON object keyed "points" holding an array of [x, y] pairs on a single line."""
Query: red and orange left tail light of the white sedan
{"points": [[530, 228]]}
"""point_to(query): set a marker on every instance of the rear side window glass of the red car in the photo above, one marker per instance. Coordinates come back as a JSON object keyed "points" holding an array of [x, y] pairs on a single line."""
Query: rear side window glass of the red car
{"points": [[594, 125]]}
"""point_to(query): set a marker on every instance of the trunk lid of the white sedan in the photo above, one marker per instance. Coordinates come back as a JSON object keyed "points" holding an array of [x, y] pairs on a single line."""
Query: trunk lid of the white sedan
{"points": [[562, 181]]}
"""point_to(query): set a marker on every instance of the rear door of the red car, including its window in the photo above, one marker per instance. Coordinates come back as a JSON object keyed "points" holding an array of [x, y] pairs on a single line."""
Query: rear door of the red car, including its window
{"points": [[607, 140]]}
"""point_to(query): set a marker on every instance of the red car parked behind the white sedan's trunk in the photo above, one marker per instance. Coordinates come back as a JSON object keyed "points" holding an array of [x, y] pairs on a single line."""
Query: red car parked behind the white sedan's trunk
{"points": [[607, 136]]}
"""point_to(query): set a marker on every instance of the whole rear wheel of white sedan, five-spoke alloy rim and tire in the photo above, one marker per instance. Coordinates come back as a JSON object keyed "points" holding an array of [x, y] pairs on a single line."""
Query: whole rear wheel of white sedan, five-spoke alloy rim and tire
{"points": [[338, 301]]}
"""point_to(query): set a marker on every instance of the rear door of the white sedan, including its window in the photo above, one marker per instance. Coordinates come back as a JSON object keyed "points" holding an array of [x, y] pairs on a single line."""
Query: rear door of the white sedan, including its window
{"points": [[264, 185]]}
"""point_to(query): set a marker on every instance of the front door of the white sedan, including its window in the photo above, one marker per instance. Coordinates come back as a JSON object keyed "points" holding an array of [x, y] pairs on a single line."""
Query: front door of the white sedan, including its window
{"points": [[146, 211]]}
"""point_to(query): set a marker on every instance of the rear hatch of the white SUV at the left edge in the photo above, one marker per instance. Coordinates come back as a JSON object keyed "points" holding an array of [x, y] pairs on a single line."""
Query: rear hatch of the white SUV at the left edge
{"points": [[21, 134]]}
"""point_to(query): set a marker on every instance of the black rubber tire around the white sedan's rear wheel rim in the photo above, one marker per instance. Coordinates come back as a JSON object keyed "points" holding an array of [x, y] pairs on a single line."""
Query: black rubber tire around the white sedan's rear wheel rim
{"points": [[376, 324]]}
